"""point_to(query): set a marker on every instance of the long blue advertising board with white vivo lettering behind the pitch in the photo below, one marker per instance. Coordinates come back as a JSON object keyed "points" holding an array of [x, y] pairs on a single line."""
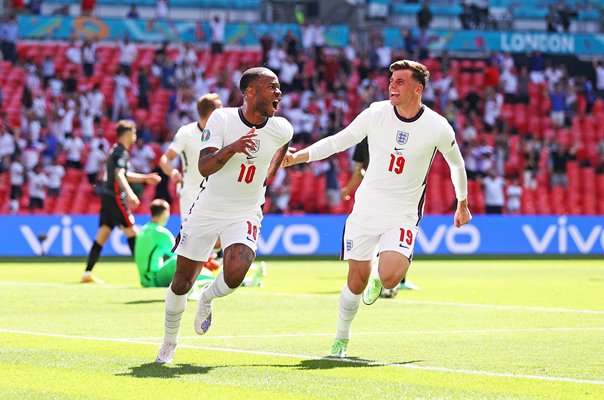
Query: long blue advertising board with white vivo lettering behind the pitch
{"points": [[58, 235]]}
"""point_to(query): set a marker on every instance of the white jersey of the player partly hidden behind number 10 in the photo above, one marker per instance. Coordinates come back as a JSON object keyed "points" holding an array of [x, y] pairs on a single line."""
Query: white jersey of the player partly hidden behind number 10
{"points": [[187, 143]]}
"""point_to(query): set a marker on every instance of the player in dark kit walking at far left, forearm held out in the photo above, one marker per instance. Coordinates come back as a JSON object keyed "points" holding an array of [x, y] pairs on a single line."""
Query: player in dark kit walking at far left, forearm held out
{"points": [[117, 197]]}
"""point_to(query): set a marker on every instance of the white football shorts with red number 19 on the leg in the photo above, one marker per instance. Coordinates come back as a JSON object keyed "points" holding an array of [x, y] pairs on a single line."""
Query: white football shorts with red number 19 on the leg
{"points": [[364, 237]]}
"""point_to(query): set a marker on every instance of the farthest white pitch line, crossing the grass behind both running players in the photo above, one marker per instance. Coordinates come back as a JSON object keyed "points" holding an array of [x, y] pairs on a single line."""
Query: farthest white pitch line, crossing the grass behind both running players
{"points": [[329, 296]]}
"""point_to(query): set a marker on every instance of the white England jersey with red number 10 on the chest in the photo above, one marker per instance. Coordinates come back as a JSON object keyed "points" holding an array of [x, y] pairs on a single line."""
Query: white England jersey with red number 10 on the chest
{"points": [[239, 187]]}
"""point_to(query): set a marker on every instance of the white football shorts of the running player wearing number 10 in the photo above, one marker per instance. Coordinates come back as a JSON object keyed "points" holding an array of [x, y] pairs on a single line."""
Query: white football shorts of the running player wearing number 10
{"points": [[198, 235]]}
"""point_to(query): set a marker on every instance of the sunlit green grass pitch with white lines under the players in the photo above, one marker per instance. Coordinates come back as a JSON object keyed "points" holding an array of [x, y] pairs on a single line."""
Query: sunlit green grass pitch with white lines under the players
{"points": [[505, 329]]}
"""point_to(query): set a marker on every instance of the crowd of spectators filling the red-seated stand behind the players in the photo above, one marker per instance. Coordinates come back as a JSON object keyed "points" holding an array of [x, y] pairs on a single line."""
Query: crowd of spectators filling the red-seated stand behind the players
{"points": [[324, 89]]}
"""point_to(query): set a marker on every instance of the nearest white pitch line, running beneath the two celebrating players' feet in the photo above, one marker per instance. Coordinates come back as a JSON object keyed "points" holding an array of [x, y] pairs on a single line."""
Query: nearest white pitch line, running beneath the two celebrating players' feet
{"points": [[311, 357]]}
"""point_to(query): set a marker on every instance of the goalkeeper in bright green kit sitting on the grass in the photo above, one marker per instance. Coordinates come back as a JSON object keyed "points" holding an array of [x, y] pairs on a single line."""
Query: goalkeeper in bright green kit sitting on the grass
{"points": [[153, 250]]}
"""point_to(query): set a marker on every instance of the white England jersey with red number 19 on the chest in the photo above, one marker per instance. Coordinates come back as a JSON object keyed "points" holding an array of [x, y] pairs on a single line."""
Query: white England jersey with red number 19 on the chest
{"points": [[401, 152]]}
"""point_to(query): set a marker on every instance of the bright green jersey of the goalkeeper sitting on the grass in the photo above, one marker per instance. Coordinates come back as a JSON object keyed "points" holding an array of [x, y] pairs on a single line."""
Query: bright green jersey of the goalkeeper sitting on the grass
{"points": [[153, 243]]}
